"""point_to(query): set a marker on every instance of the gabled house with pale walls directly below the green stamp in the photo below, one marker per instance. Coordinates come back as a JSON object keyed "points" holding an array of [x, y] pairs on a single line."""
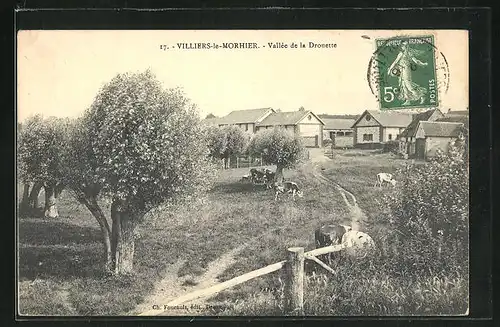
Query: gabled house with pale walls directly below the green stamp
{"points": [[373, 127]]}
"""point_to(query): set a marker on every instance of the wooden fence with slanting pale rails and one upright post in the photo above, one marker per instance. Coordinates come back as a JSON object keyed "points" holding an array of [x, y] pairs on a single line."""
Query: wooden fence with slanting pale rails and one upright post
{"points": [[293, 274]]}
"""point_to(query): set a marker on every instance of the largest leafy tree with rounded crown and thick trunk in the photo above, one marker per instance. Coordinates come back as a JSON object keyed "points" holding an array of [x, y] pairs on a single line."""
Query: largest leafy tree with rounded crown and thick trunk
{"points": [[146, 147]]}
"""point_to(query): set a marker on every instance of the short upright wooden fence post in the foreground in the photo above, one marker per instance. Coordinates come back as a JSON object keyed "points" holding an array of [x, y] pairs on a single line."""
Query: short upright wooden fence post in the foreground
{"points": [[294, 282]]}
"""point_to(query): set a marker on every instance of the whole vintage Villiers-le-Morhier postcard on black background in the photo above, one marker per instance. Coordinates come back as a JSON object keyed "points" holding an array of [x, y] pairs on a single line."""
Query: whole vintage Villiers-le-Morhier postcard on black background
{"points": [[243, 172]]}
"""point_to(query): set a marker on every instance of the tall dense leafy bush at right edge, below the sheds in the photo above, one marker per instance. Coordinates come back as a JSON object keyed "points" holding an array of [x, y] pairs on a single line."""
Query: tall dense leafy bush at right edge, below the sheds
{"points": [[428, 216]]}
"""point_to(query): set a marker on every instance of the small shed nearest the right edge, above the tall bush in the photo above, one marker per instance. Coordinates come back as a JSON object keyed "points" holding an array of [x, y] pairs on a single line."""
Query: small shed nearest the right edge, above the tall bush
{"points": [[433, 136]]}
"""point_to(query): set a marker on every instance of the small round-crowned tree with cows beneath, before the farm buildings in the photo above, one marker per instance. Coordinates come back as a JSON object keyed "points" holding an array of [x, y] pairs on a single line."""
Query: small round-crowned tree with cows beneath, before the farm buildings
{"points": [[278, 146]]}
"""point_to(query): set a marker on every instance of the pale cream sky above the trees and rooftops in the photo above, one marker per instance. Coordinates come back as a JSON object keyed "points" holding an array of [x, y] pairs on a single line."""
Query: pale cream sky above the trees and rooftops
{"points": [[60, 72]]}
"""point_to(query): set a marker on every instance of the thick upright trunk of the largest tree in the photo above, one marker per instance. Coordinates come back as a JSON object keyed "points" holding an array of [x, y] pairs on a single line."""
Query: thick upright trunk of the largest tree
{"points": [[122, 239]]}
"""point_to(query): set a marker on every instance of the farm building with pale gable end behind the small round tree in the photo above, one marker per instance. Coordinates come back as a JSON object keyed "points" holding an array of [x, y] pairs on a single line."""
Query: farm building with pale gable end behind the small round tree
{"points": [[305, 123]]}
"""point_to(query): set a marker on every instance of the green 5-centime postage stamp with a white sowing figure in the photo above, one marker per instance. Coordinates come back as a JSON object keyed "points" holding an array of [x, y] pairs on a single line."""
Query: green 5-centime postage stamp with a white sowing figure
{"points": [[406, 72]]}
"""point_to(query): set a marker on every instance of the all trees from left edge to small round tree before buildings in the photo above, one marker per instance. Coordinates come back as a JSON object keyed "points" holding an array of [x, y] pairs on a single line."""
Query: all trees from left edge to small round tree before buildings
{"points": [[137, 147]]}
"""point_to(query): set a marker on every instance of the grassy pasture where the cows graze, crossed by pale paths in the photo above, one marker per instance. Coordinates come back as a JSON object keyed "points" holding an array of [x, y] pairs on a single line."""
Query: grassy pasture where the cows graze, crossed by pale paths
{"points": [[60, 260]]}
